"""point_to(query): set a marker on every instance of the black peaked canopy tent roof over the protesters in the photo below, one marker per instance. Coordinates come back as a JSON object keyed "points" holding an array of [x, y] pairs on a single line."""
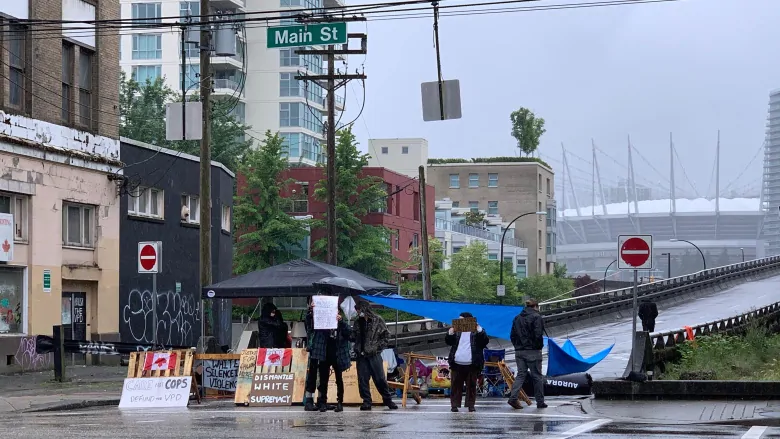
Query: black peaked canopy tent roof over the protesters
{"points": [[292, 279]]}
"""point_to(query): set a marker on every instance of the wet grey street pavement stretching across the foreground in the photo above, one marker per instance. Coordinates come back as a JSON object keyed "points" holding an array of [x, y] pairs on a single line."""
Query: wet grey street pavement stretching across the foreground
{"points": [[493, 420]]}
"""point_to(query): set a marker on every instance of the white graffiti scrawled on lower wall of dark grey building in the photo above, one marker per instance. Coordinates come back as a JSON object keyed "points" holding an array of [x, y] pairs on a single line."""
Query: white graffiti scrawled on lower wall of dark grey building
{"points": [[178, 318]]}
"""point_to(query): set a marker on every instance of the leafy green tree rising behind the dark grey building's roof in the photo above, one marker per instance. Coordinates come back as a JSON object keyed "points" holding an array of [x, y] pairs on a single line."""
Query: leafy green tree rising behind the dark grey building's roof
{"points": [[142, 118]]}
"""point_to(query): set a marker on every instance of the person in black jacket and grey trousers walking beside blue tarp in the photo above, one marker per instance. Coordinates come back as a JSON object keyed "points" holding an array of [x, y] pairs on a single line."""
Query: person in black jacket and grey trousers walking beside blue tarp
{"points": [[528, 340]]}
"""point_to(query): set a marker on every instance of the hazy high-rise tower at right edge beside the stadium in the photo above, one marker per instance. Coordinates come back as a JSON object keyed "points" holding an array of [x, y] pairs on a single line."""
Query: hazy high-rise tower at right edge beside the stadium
{"points": [[770, 193]]}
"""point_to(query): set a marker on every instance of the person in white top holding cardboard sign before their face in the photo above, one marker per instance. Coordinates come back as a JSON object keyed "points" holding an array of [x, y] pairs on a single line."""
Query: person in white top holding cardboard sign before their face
{"points": [[466, 362]]}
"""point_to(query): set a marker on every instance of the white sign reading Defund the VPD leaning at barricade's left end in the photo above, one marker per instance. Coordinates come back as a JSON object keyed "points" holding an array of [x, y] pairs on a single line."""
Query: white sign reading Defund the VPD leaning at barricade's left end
{"points": [[155, 392]]}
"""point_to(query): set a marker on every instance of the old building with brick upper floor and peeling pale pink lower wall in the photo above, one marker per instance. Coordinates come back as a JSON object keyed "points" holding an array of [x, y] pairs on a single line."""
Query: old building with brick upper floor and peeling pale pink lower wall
{"points": [[59, 155]]}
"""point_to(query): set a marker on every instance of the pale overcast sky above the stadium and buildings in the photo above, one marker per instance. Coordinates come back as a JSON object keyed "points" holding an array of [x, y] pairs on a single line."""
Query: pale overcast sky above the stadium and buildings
{"points": [[689, 67]]}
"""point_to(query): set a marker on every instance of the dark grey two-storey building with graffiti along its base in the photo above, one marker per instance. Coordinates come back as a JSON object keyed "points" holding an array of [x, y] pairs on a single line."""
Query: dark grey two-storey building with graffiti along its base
{"points": [[160, 202]]}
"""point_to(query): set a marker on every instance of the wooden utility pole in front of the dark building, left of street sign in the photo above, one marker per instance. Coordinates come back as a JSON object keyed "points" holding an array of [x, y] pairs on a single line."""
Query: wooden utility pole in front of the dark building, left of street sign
{"points": [[205, 153]]}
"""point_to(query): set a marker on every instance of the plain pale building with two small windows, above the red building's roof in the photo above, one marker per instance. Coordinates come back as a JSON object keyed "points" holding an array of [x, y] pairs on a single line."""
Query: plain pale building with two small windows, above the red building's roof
{"points": [[404, 156]]}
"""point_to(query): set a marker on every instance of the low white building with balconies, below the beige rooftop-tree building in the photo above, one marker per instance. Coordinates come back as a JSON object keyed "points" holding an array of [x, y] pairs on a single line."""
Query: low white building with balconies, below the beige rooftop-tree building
{"points": [[454, 234]]}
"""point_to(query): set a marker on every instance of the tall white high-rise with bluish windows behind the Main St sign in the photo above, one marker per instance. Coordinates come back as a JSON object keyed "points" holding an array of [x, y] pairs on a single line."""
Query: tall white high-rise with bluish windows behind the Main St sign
{"points": [[259, 81]]}
